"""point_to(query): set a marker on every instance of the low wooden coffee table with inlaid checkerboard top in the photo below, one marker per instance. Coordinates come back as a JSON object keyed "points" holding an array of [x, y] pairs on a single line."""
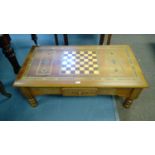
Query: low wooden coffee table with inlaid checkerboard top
{"points": [[81, 71]]}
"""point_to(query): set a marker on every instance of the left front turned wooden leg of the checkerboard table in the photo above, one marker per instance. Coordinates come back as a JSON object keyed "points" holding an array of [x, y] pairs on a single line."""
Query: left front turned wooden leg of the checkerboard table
{"points": [[30, 97]]}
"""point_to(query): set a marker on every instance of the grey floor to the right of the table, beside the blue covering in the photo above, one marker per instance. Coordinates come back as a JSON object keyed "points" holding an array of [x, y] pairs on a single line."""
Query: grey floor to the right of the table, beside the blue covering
{"points": [[143, 108]]}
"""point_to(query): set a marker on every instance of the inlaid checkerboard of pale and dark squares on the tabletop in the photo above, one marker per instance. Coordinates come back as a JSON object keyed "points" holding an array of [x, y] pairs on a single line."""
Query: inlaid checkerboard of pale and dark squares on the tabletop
{"points": [[79, 62]]}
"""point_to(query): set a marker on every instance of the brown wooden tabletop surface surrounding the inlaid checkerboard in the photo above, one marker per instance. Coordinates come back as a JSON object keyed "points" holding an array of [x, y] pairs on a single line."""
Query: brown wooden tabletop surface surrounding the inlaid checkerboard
{"points": [[117, 68]]}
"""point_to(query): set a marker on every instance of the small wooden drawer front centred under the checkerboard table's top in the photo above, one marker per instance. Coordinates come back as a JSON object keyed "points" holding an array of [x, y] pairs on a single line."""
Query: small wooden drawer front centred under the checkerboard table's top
{"points": [[79, 91]]}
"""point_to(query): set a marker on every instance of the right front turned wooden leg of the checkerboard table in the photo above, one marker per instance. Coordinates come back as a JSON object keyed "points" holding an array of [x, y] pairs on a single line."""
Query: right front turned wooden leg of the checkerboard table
{"points": [[133, 95]]}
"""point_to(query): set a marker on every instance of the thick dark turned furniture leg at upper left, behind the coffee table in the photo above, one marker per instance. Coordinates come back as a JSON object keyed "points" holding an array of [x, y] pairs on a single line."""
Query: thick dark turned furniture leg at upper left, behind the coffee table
{"points": [[8, 51]]}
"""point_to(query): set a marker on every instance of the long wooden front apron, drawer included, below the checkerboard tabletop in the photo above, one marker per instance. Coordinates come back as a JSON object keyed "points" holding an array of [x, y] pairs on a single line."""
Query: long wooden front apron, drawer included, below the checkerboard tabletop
{"points": [[124, 92]]}
